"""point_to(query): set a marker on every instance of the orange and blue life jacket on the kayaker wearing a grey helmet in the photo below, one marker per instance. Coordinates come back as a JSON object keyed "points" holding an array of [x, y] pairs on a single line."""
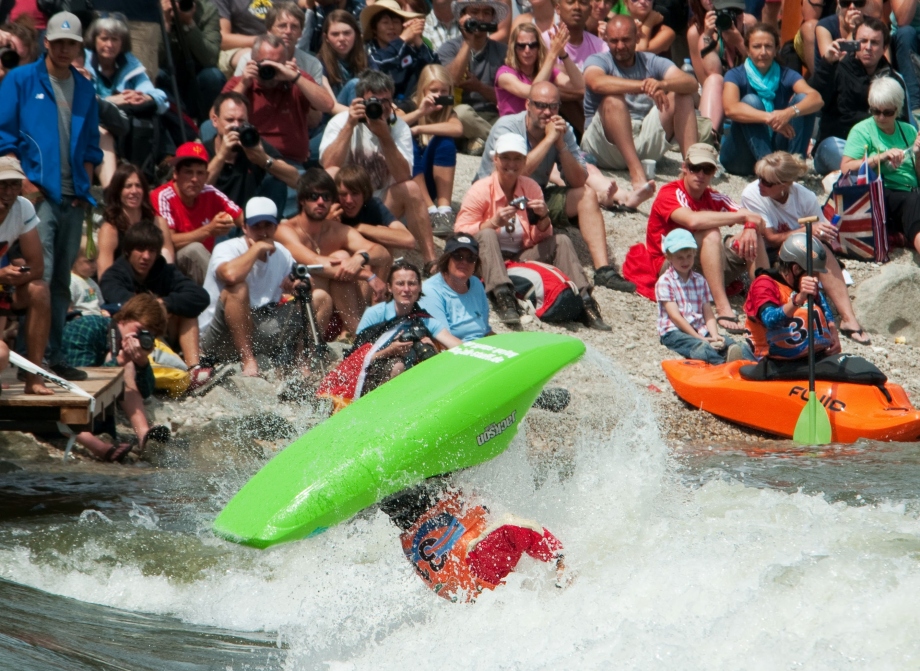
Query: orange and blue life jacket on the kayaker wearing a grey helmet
{"points": [[791, 340]]}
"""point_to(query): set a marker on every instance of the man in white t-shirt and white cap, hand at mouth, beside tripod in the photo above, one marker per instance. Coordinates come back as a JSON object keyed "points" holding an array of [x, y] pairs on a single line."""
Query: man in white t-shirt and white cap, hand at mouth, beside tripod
{"points": [[245, 280]]}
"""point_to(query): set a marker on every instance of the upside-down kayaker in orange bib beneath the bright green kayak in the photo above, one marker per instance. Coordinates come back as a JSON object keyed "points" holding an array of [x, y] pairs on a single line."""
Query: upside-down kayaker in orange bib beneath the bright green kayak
{"points": [[457, 549]]}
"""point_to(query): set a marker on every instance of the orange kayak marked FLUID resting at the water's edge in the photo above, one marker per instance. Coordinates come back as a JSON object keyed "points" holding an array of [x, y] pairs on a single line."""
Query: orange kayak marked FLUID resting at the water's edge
{"points": [[855, 410]]}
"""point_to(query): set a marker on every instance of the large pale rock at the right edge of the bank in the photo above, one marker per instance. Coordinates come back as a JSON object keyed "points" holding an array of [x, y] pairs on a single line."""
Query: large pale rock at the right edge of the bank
{"points": [[889, 303]]}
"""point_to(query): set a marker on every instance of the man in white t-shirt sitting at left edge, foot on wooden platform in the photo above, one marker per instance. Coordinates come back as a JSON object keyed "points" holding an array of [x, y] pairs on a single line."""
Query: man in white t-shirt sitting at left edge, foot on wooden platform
{"points": [[21, 285]]}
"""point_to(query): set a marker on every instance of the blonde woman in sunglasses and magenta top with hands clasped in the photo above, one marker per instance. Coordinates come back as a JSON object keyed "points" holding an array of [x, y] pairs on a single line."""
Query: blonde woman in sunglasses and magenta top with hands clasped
{"points": [[530, 62]]}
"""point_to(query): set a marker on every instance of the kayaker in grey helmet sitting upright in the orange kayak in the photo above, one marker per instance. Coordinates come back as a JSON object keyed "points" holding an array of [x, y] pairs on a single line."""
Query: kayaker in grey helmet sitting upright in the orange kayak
{"points": [[777, 321]]}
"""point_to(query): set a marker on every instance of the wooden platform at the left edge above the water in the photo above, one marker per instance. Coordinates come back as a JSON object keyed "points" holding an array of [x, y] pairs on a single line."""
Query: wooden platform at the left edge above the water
{"points": [[25, 412]]}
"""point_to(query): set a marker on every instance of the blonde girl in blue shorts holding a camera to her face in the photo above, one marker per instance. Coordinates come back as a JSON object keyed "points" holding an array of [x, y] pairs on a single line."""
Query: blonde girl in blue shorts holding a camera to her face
{"points": [[434, 126]]}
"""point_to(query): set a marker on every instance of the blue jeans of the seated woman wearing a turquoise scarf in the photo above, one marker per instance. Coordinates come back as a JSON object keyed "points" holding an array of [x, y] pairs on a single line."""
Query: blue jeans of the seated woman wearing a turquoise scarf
{"points": [[746, 143]]}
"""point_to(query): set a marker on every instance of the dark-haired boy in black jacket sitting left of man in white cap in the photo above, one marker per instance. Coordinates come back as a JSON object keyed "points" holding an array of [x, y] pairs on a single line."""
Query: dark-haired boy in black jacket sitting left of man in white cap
{"points": [[142, 269]]}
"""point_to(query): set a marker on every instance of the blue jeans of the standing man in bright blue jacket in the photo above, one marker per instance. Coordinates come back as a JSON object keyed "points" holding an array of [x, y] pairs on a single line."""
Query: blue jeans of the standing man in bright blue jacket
{"points": [[60, 229]]}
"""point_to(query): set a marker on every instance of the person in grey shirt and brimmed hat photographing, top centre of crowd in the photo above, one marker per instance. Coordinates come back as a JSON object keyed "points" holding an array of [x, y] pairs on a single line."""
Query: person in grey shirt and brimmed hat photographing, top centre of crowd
{"points": [[473, 61]]}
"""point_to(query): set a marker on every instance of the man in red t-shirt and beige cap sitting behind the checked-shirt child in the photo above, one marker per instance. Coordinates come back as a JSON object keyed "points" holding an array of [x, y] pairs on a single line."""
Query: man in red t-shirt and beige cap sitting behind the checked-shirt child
{"points": [[690, 203]]}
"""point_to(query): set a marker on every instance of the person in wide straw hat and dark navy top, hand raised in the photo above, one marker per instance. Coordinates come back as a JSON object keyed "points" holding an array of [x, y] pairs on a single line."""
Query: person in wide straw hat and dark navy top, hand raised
{"points": [[394, 44]]}
